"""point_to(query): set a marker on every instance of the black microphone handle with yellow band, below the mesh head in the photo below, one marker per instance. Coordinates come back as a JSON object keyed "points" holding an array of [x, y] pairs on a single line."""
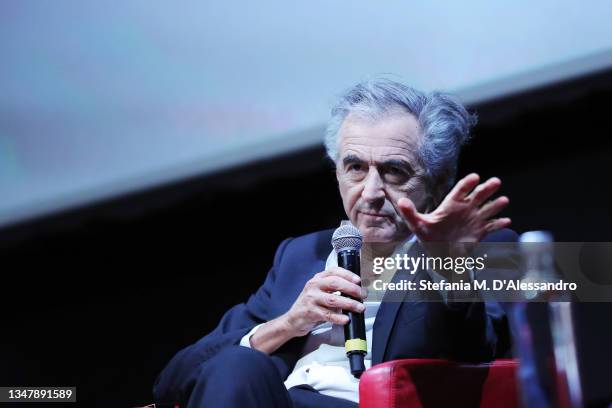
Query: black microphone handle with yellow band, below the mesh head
{"points": [[354, 330]]}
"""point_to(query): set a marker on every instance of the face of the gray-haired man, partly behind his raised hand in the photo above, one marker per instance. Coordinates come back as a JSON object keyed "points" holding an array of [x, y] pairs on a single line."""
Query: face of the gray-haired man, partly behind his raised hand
{"points": [[377, 166]]}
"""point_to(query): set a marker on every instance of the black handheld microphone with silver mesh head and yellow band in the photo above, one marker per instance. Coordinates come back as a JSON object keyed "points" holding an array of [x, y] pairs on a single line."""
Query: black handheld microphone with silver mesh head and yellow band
{"points": [[347, 242]]}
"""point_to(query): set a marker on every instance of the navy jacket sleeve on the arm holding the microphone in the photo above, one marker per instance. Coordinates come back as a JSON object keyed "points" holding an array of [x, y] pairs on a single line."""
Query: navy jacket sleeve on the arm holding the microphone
{"points": [[177, 379]]}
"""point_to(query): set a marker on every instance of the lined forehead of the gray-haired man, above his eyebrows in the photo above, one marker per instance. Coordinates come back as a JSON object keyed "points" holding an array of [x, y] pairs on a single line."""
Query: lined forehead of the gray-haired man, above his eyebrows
{"points": [[393, 135]]}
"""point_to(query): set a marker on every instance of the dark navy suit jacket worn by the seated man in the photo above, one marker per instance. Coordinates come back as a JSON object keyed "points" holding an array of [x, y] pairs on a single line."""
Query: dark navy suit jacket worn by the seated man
{"points": [[470, 331]]}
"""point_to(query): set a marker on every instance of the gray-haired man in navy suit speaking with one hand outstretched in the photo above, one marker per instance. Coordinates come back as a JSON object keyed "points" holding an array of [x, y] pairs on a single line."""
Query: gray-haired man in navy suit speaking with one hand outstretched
{"points": [[395, 151]]}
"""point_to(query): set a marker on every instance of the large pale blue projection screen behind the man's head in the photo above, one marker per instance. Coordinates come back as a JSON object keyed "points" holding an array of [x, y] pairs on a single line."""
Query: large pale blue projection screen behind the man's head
{"points": [[98, 99]]}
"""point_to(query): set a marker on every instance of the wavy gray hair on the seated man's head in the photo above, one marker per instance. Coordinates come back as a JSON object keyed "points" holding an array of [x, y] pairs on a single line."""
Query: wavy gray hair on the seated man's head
{"points": [[444, 122]]}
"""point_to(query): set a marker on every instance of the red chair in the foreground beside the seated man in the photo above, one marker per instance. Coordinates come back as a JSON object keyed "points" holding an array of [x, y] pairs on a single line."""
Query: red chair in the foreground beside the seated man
{"points": [[424, 383]]}
